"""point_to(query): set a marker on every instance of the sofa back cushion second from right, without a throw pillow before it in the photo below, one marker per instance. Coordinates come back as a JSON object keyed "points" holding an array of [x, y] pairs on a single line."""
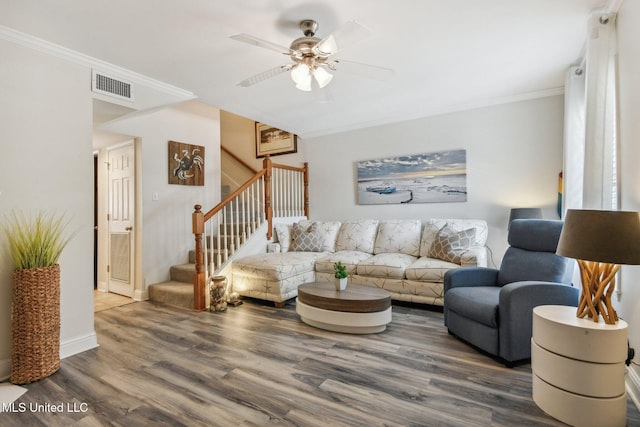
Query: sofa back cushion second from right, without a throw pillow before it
{"points": [[398, 236]]}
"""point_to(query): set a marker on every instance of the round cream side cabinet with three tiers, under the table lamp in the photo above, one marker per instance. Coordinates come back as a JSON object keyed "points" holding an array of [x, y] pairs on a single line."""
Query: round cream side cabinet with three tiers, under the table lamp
{"points": [[578, 367]]}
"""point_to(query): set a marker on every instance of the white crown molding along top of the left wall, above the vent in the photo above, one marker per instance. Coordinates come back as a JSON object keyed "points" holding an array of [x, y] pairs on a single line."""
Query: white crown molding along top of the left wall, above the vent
{"points": [[41, 45]]}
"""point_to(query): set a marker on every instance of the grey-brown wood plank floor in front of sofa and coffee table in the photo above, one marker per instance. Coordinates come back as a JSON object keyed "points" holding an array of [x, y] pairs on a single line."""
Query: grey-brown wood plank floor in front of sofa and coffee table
{"points": [[256, 365]]}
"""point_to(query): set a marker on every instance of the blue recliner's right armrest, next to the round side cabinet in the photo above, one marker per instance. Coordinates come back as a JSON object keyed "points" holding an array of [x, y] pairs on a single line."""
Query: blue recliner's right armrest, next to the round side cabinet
{"points": [[517, 301]]}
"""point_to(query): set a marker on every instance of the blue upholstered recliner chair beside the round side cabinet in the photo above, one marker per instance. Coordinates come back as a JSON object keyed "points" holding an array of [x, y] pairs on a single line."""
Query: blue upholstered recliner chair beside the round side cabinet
{"points": [[493, 309]]}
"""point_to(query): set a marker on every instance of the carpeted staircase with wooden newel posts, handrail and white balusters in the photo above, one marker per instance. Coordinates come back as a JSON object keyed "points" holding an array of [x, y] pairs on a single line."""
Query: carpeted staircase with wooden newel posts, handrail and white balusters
{"points": [[245, 215]]}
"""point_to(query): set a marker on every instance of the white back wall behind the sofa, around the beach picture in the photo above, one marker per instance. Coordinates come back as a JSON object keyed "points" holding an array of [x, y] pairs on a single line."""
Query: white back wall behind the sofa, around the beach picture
{"points": [[514, 156]]}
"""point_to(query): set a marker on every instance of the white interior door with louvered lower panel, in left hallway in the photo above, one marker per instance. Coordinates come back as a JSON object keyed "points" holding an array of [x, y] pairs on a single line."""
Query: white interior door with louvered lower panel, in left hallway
{"points": [[121, 220]]}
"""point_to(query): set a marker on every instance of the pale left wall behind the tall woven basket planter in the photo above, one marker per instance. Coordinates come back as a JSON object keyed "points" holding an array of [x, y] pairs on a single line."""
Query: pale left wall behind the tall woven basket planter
{"points": [[47, 162]]}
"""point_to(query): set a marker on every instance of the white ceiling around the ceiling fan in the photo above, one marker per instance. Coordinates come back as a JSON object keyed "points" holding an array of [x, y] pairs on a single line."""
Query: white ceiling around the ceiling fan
{"points": [[448, 55]]}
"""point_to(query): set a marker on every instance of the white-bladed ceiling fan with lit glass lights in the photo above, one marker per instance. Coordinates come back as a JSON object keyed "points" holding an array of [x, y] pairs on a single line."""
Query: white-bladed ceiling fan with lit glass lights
{"points": [[312, 57]]}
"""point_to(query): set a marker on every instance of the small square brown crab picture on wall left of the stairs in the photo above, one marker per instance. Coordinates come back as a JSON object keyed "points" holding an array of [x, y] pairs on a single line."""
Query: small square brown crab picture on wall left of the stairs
{"points": [[186, 163]]}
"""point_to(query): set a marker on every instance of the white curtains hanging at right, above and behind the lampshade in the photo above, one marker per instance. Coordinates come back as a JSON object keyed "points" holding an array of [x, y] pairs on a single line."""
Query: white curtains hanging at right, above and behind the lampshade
{"points": [[590, 152]]}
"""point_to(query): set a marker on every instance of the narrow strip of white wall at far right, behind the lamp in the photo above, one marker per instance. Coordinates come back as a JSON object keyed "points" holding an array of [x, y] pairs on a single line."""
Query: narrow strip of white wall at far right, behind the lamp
{"points": [[629, 73]]}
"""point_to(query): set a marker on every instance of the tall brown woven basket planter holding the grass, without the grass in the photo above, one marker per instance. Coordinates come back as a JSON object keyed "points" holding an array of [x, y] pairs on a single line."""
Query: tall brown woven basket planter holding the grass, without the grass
{"points": [[35, 321]]}
